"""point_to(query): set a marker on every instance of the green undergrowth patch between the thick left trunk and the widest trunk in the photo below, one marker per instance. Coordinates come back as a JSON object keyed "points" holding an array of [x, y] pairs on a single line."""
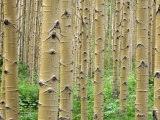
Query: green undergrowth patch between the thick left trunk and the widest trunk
{"points": [[28, 95]]}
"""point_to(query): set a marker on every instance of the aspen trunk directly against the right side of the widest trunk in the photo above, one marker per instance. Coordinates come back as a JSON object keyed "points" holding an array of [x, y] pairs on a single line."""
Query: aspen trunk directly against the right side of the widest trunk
{"points": [[66, 61]]}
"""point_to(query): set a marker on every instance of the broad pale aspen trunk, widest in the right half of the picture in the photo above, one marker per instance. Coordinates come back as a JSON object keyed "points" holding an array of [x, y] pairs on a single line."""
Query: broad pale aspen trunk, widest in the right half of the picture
{"points": [[141, 103]]}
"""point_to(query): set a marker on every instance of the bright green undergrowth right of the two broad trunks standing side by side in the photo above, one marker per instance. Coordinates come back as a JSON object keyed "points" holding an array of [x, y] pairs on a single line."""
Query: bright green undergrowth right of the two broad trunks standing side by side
{"points": [[111, 106]]}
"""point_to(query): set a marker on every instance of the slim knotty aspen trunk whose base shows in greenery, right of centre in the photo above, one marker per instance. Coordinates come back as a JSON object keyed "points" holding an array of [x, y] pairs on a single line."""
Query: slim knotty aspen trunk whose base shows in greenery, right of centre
{"points": [[116, 47]]}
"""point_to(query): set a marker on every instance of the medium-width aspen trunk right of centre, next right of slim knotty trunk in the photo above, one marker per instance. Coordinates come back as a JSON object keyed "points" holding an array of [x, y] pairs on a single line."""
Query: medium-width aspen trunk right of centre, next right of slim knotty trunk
{"points": [[99, 59]]}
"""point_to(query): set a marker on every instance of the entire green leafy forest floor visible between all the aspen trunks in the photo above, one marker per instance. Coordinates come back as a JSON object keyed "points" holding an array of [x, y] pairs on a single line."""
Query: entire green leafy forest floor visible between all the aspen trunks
{"points": [[29, 97]]}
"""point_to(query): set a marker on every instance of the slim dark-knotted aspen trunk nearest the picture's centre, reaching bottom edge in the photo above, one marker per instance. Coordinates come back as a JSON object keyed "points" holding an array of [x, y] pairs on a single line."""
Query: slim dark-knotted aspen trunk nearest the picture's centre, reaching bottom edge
{"points": [[84, 60]]}
